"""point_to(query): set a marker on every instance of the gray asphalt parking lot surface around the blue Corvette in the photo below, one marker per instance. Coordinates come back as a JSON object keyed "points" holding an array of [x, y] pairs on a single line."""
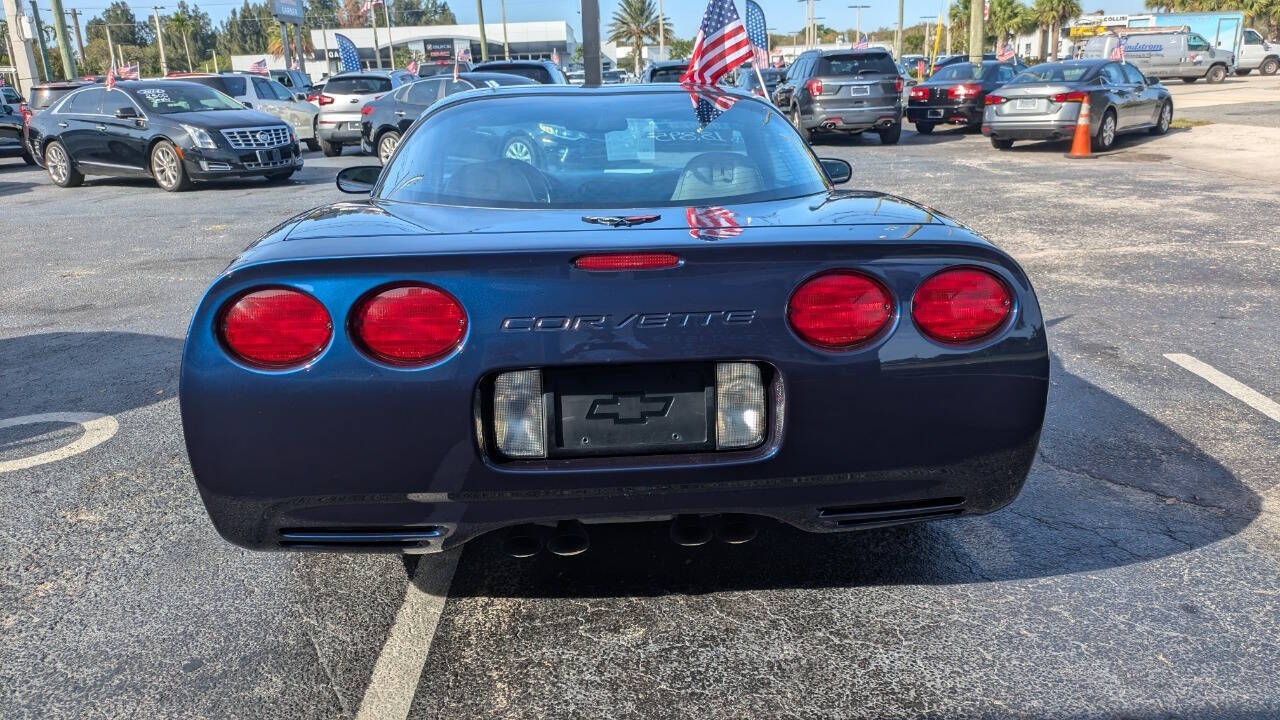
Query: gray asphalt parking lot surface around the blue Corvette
{"points": [[1137, 576]]}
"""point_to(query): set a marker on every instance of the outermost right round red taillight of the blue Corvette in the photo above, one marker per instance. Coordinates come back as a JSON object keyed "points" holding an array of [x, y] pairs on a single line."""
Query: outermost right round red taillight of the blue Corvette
{"points": [[962, 306]]}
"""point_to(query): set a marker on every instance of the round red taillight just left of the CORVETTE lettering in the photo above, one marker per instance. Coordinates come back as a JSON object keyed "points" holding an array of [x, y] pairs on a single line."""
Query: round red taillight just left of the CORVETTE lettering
{"points": [[409, 325]]}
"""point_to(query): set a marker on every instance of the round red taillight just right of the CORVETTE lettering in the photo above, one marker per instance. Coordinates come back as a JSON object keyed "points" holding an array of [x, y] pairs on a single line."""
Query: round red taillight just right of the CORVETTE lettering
{"points": [[840, 309]]}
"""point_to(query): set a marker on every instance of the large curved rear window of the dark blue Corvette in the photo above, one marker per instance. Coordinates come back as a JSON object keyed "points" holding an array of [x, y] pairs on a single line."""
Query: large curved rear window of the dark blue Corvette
{"points": [[646, 151]]}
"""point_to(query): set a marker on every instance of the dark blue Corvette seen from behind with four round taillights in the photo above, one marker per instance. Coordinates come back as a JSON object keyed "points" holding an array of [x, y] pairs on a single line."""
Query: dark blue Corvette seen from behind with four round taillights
{"points": [[657, 321]]}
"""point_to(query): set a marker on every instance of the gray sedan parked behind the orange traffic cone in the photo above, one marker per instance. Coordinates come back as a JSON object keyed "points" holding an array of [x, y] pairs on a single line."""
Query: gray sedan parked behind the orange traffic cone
{"points": [[1044, 103]]}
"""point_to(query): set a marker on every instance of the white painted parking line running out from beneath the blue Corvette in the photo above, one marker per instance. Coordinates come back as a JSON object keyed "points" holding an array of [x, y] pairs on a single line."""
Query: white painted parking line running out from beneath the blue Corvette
{"points": [[400, 667]]}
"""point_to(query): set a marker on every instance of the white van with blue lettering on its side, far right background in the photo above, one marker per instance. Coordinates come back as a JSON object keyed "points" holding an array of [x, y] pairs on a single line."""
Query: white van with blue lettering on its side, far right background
{"points": [[1180, 54]]}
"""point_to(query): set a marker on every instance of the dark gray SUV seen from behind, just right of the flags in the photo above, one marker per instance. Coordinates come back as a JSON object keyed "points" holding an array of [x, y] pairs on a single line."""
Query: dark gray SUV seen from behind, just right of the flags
{"points": [[844, 92]]}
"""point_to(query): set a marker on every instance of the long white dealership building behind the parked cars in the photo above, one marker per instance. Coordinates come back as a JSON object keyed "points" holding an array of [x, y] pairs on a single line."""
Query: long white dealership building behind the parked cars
{"points": [[442, 44]]}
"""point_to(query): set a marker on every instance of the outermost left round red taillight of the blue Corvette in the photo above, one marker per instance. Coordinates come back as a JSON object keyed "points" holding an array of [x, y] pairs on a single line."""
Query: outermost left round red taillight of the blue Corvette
{"points": [[276, 327]]}
